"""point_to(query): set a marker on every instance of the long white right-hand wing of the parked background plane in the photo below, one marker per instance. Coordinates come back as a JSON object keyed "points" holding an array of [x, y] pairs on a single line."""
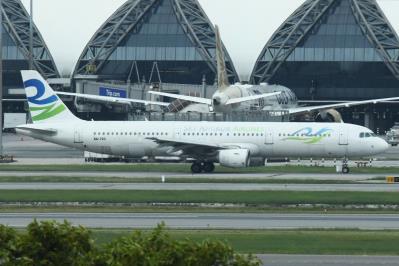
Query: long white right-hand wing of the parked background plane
{"points": [[338, 105]]}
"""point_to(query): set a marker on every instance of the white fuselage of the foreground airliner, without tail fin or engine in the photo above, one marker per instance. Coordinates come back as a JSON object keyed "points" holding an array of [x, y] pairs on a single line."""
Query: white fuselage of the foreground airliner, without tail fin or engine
{"points": [[262, 139]]}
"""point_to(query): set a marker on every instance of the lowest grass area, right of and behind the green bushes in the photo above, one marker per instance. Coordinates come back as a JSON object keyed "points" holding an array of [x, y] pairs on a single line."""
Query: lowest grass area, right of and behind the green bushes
{"points": [[333, 242]]}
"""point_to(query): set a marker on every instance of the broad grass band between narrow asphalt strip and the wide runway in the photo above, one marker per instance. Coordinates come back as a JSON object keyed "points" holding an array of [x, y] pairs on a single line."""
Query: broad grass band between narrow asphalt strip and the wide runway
{"points": [[233, 197]]}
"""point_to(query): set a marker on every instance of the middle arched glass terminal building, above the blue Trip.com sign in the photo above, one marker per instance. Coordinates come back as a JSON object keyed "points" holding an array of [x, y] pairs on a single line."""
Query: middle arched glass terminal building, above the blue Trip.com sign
{"points": [[166, 45]]}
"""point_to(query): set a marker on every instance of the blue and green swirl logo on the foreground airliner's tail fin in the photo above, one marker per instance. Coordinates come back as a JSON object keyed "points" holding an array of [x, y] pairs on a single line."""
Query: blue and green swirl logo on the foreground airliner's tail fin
{"points": [[47, 107]]}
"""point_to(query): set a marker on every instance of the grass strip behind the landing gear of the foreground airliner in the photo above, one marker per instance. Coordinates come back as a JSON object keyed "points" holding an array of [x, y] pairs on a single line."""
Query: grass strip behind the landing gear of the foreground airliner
{"points": [[184, 168]]}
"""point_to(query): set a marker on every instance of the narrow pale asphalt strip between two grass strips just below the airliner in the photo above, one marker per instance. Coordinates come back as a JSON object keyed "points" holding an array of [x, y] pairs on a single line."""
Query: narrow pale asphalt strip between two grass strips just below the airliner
{"points": [[201, 186]]}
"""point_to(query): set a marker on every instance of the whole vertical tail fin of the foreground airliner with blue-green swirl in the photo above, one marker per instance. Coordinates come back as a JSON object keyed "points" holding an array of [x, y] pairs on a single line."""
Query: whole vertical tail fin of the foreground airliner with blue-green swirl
{"points": [[44, 105]]}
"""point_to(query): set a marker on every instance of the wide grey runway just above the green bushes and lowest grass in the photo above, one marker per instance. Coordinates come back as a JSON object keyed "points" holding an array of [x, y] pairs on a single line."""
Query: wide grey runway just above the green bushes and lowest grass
{"points": [[210, 221]]}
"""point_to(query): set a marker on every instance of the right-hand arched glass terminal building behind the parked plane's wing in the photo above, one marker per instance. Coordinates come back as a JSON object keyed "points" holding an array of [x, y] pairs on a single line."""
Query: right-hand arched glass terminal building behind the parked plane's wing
{"points": [[336, 50]]}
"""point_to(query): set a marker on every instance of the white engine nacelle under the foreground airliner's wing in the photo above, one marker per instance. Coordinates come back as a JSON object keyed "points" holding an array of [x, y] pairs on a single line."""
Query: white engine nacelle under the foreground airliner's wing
{"points": [[234, 158]]}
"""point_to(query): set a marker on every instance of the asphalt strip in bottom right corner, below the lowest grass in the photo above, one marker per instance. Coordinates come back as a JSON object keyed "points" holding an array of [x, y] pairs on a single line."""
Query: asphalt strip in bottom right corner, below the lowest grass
{"points": [[309, 260]]}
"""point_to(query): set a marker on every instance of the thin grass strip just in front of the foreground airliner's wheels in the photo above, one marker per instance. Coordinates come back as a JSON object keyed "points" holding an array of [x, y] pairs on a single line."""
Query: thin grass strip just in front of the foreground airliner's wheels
{"points": [[88, 179]]}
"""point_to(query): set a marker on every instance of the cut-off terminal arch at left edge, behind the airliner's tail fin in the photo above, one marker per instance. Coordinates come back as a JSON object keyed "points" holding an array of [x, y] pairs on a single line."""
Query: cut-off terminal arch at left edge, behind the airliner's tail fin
{"points": [[16, 54]]}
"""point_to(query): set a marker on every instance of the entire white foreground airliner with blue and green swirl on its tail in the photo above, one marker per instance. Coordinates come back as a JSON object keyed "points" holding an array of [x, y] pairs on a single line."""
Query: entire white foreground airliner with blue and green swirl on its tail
{"points": [[232, 144]]}
